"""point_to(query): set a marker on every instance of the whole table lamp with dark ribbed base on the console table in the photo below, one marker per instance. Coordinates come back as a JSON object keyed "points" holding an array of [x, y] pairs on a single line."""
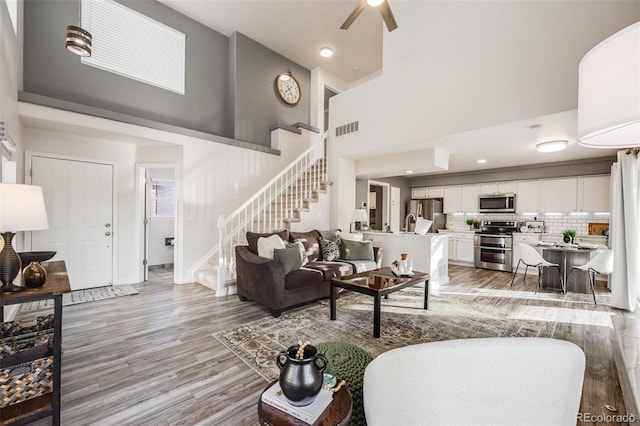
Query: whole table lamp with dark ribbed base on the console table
{"points": [[22, 208]]}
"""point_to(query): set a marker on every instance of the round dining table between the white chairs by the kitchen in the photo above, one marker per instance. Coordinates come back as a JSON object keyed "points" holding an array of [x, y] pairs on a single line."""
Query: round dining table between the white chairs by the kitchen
{"points": [[567, 255]]}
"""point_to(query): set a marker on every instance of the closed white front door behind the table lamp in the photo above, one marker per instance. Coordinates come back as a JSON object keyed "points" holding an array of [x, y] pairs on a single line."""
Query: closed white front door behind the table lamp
{"points": [[79, 200]]}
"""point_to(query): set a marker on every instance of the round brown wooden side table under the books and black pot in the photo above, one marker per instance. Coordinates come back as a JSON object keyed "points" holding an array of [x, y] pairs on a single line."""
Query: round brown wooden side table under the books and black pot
{"points": [[337, 413]]}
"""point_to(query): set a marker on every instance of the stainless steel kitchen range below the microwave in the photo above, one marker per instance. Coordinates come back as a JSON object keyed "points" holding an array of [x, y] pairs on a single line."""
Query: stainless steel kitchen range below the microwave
{"points": [[494, 245]]}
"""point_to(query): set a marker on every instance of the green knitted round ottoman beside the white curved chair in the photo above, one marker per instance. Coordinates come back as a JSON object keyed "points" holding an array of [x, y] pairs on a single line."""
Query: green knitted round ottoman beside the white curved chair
{"points": [[348, 362]]}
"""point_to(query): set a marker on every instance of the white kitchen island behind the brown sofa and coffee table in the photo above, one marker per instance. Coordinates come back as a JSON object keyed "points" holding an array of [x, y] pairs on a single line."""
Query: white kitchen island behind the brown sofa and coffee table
{"points": [[429, 252]]}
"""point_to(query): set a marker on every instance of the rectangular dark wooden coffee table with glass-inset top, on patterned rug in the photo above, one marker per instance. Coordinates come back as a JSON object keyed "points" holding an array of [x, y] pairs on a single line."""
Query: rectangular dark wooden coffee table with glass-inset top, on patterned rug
{"points": [[377, 283]]}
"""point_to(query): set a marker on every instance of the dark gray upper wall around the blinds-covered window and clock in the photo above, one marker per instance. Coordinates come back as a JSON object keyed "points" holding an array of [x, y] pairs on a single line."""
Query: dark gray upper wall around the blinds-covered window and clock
{"points": [[229, 82]]}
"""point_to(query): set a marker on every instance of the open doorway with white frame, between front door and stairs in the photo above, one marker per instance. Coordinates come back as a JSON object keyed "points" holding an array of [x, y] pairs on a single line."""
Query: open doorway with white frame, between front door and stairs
{"points": [[159, 222]]}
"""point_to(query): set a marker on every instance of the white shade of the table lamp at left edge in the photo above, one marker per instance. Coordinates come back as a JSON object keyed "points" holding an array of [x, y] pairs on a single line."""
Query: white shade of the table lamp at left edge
{"points": [[22, 208]]}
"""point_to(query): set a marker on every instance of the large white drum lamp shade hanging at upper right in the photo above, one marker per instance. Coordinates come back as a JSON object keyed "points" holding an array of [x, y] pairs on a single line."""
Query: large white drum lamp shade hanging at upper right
{"points": [[609, 92]]}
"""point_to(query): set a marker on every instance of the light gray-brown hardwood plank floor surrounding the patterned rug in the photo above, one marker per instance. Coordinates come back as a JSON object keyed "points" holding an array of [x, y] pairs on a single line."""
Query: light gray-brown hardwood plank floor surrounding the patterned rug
{"points": [[151, 358]]}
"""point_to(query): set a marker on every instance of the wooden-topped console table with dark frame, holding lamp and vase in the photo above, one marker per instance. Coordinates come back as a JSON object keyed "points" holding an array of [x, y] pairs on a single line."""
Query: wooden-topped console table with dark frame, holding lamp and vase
{"points": [[47, 405]]}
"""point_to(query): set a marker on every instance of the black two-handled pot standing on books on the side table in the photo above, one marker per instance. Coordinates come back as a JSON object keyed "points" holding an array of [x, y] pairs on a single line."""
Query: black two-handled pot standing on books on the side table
{"points": [[301, 379]]}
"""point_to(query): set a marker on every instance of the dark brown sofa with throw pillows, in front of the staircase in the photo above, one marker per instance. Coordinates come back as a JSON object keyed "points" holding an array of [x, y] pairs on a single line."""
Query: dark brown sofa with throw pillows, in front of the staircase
{"points": [[262, 280]]}
